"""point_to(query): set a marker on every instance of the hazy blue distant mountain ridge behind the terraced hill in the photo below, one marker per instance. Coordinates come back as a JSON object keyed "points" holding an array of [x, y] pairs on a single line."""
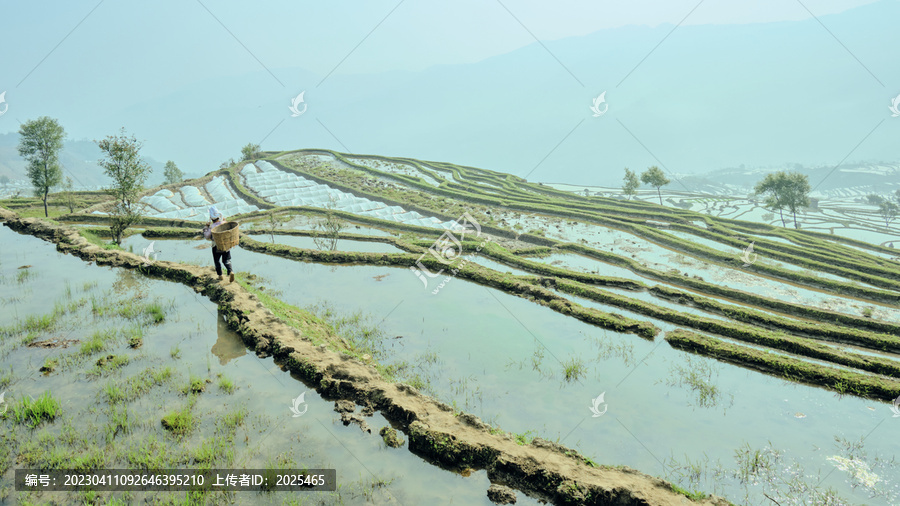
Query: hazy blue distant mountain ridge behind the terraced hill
{"points": [[693, 99]]}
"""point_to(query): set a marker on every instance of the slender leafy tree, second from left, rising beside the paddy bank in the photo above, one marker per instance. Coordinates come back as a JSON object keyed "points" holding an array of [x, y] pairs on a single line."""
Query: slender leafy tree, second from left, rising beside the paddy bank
{"points": [[129, 172]]}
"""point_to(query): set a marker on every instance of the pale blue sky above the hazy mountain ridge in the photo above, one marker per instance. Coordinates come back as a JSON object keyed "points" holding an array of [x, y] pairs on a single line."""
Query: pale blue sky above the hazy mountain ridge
{"points": [[336, 35]]}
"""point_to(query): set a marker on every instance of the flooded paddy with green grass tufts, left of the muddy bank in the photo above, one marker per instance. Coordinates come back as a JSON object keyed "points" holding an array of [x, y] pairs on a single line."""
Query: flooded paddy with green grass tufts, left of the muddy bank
{"points": [[110, 415]]}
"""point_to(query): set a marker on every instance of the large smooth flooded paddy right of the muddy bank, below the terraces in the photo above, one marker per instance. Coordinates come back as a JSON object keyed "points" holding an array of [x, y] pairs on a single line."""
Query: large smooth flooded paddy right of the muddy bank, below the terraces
{"points": [[517, 378]]}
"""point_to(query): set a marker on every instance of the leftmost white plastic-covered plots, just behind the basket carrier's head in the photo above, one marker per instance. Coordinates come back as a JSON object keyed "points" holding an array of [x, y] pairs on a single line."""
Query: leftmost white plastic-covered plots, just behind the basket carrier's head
{"points": [[189, 203]]}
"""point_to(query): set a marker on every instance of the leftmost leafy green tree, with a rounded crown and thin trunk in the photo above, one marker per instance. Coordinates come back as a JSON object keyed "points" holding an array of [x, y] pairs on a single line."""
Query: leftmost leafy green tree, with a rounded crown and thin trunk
{"points": [[40, 143]]}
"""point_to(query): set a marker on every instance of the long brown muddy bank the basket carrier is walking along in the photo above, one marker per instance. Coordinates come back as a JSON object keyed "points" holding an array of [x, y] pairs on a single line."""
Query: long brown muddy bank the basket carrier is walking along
{"points": [[436, 433]]}
